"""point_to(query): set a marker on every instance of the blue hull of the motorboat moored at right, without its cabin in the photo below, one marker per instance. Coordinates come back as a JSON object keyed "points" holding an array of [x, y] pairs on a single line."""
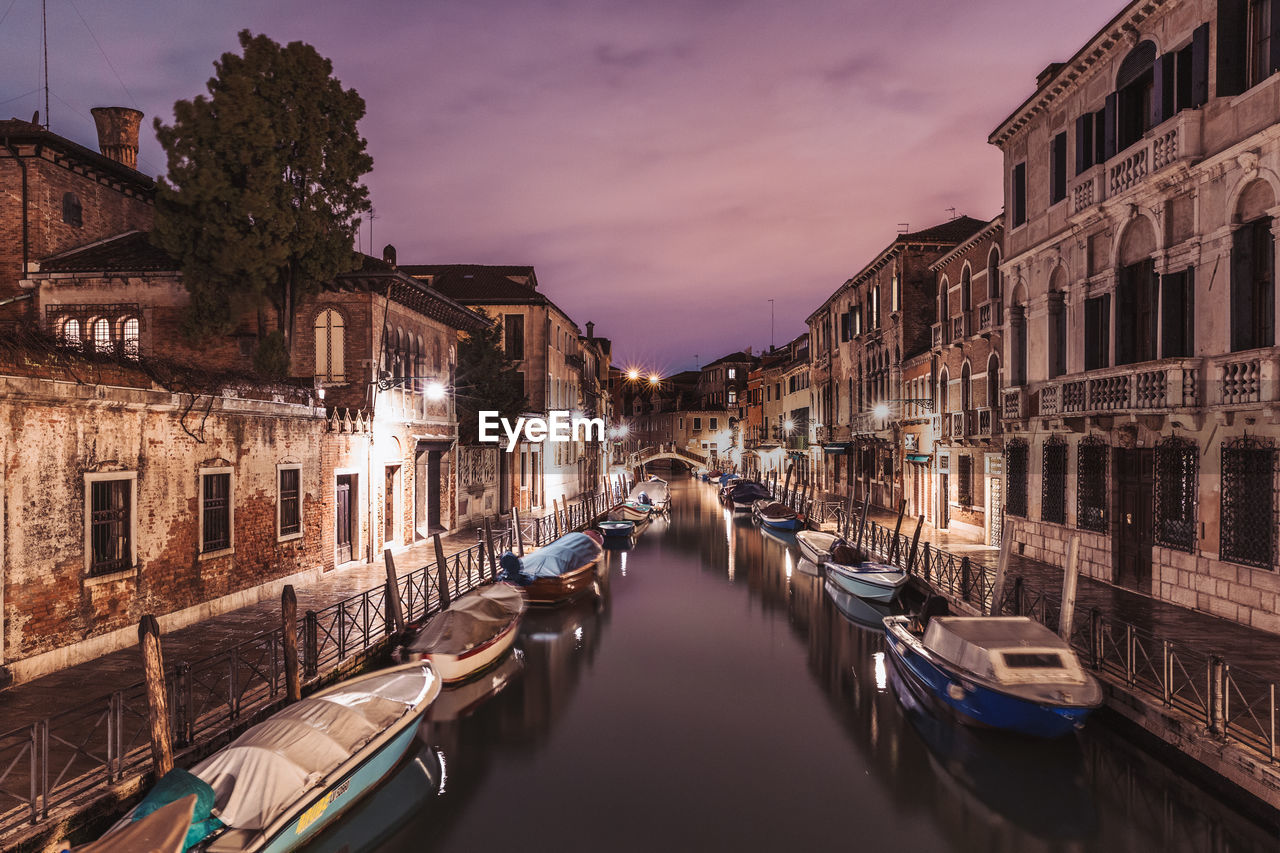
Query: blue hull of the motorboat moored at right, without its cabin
{"points": [[975, 704]]}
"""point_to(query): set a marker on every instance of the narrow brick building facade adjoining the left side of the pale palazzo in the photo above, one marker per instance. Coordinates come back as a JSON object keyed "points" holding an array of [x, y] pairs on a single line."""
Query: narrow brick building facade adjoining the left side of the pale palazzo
{"points": [[968, 352]]}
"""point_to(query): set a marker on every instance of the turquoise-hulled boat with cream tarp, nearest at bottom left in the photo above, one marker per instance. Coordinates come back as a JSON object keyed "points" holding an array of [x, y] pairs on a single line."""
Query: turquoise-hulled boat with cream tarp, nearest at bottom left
{"points": [[287, 778]]}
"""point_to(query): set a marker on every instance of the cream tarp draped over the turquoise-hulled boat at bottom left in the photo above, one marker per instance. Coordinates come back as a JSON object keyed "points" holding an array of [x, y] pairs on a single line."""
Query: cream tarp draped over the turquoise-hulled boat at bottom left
{"points": [[267, 769]]}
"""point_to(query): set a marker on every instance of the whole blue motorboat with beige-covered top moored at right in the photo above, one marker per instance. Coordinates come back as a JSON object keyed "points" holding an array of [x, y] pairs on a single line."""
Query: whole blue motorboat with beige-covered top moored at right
{"points": [[1005, 673]]}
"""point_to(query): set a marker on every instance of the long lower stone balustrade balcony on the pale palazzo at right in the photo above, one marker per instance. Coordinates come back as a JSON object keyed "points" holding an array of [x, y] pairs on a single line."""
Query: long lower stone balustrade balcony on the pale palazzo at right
{"points": [[1148, 387]]}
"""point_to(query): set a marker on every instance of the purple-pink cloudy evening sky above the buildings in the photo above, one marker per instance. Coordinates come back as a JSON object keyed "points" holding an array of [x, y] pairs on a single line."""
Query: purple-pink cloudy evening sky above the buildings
{"points": [[668, 166]]}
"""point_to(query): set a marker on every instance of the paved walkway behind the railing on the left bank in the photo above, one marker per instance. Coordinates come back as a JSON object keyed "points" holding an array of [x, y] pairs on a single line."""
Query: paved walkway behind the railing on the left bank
{"points": [[86, 683]]}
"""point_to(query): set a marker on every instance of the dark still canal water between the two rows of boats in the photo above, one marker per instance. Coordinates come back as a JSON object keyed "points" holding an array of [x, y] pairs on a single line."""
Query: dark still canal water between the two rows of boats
{"points": [[716, 697]]}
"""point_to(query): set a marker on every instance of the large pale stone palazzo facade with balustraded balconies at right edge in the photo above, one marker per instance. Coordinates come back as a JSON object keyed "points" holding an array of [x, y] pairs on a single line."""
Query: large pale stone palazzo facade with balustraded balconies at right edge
{"points": [[1142, 186]]}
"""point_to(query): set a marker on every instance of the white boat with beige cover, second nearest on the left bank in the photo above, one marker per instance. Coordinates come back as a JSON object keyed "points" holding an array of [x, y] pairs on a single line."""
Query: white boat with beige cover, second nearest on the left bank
{"points": [[473, 635]]}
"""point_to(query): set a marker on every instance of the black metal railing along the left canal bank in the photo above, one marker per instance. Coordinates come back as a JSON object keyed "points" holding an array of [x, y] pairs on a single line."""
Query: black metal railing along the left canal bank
{"points": [[70, 755]]}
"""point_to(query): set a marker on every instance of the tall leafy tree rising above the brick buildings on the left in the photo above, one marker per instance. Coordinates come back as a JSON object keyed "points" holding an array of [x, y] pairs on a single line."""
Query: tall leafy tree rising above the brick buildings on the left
{"points": [[263, 197]]}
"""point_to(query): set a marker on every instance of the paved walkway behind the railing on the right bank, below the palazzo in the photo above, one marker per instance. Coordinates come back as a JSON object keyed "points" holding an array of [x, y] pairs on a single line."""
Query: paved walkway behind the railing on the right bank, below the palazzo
{"points": [[1249, 649]]}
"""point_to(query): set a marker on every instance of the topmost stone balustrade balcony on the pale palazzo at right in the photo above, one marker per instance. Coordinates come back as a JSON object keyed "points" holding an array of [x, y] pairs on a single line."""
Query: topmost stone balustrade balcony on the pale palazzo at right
{"points": [[1173, 142]]}
